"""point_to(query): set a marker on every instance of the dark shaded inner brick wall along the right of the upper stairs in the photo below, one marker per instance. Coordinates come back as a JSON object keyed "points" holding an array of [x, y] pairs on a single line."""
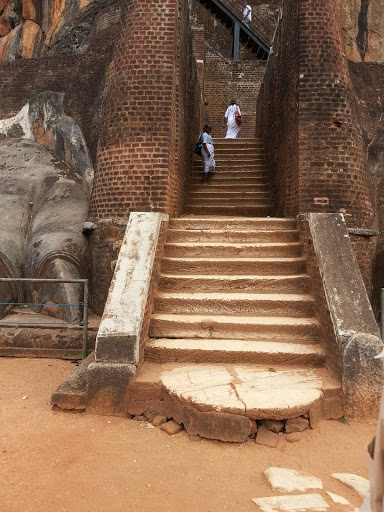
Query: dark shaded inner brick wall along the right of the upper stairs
{"points": [[278, 113]]}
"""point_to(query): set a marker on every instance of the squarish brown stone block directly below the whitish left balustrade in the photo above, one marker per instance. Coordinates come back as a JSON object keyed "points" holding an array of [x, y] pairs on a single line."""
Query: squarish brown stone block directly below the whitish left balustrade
{"points": [[107, 388]]}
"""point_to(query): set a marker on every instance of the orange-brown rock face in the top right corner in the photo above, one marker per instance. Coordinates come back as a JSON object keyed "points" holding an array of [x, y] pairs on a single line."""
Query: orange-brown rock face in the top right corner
{"points": [[363, 28]]}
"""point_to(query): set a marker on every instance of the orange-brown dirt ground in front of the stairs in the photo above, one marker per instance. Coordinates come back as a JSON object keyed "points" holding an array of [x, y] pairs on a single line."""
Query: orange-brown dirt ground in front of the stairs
{"points": [[56, 462]]}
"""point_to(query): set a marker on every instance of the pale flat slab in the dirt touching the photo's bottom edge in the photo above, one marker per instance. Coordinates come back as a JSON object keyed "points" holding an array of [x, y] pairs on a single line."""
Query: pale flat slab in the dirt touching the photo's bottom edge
{"points": [[298, 503]]}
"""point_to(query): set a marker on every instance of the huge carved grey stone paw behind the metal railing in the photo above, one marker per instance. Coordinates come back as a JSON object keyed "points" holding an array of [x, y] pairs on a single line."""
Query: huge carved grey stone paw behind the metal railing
{"points": [[43, 205]]}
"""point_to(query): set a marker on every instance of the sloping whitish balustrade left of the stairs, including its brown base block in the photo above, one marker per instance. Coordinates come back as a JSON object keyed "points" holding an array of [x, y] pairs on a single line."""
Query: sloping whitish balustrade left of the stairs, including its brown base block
{"points": [[120, 337]]}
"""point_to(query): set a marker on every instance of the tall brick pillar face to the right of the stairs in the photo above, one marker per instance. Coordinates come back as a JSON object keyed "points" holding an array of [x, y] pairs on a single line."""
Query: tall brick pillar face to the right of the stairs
{"points": [[333, 171]]}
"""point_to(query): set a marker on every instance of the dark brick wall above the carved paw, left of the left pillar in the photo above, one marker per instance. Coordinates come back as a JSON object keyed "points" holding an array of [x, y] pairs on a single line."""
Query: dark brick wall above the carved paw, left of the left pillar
{"points": [[80, 77]]}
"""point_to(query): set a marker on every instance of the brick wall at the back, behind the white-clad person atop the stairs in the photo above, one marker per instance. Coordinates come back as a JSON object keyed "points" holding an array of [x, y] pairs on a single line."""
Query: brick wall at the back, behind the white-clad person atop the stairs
{"points": [[225, 79]]}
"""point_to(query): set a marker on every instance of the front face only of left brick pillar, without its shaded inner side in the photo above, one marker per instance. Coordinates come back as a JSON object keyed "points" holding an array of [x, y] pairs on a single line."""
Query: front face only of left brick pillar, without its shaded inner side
{"points": [[134, 154]]}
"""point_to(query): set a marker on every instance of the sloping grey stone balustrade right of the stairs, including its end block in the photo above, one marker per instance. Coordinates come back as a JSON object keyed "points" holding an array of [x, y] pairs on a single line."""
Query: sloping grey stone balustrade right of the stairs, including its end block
{"points": [[355, 329]]}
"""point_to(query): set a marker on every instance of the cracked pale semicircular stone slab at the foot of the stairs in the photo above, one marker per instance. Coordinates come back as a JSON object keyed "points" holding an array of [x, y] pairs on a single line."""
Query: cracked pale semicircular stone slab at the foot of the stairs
{"points": [[244, 390]]}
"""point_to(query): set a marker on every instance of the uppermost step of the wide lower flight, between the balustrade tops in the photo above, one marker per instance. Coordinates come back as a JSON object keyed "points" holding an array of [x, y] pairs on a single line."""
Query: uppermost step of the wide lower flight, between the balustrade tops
{"points": [[231, 223]]}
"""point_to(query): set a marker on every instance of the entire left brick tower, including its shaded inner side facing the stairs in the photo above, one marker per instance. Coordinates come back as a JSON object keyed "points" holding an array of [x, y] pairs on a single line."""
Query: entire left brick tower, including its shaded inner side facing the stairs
{"points": [[150, 115]]}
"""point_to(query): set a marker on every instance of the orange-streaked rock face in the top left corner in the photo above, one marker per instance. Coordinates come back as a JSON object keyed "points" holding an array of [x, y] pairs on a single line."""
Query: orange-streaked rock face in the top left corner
{"points": [[29, 28]]}
